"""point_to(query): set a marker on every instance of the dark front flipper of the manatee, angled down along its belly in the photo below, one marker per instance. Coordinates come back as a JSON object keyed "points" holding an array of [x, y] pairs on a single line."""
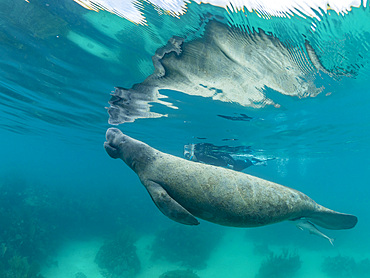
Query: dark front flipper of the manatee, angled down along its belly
{"points": [[168, 206]]}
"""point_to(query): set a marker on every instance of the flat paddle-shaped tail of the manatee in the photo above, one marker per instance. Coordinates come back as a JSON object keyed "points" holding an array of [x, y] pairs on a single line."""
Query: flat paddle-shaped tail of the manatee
{"points": [[332, 220]]}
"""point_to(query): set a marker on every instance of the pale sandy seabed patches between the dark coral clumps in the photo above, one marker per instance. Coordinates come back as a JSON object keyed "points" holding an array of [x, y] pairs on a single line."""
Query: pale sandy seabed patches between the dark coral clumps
{"points": [[234, 257]]}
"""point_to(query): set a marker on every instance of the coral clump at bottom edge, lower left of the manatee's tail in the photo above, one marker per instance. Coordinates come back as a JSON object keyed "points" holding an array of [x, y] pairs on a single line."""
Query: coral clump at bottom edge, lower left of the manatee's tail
{"points": [[280, 266]]}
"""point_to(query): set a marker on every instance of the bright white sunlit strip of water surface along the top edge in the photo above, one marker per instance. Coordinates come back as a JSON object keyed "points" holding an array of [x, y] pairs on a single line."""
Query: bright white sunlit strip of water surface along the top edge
{"points": [[133, 11]]}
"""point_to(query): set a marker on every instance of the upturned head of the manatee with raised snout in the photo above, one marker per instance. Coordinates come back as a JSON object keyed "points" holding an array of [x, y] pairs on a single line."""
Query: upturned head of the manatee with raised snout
{"points": [[134, 153]]}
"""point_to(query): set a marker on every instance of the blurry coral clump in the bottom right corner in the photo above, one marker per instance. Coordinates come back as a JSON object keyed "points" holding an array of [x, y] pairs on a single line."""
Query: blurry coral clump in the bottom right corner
{"points": [[345, 266]]}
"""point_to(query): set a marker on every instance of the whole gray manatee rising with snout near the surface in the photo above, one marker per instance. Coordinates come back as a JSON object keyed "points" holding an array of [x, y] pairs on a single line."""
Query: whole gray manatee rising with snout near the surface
{"points": [[184, 190]]}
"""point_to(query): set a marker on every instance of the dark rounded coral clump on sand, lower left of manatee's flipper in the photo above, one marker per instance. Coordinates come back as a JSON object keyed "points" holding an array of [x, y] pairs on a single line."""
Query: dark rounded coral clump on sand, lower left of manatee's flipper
{"points": [[117, 257]]}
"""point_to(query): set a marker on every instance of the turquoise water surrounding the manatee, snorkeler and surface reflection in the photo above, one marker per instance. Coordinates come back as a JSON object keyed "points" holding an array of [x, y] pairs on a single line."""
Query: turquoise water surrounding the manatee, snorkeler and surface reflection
{"points": [[62, 197]]}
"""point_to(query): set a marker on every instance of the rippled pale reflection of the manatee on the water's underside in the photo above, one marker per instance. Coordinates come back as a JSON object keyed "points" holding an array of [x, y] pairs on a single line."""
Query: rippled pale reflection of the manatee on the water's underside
{"points": [[226, 64]]}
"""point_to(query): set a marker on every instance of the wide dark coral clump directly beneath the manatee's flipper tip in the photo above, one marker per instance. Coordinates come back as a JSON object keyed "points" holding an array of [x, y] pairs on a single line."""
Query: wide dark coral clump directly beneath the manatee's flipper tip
{"points": [[191, 246]]}
